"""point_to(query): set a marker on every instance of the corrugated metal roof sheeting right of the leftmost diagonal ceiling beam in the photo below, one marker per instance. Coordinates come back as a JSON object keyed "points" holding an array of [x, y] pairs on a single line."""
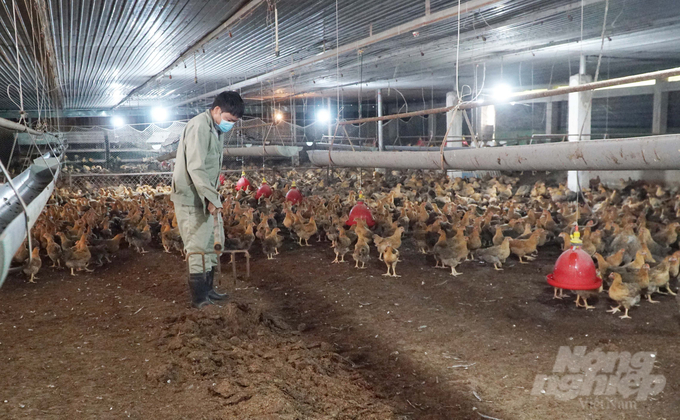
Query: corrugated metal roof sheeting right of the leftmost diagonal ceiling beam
{"points": [[509, 30]]}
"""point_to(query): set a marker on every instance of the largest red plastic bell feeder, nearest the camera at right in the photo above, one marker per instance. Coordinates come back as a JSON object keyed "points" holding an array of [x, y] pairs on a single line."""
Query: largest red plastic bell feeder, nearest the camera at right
{"points": [[575, 270]]}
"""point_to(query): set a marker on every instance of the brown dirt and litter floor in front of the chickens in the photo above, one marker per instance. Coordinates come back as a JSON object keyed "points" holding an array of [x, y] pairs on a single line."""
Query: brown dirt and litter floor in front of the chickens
{"points": [[307, 339]]}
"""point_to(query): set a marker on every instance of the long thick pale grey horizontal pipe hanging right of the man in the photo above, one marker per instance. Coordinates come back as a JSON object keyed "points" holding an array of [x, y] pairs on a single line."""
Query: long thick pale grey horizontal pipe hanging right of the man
{"points": [[640, 153]]}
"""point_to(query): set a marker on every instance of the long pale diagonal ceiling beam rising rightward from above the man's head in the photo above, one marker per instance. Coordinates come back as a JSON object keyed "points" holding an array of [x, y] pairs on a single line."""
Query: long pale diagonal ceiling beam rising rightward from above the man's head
{"points": [[452, 12]]}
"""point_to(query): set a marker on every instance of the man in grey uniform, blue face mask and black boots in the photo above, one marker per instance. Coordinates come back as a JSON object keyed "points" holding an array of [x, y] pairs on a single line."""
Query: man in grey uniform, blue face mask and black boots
{"points": [[194, 190]]}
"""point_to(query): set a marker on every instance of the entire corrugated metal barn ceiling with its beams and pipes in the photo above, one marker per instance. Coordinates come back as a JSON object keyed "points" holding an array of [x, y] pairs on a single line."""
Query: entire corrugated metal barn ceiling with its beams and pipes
{"points": [[103, 55]]}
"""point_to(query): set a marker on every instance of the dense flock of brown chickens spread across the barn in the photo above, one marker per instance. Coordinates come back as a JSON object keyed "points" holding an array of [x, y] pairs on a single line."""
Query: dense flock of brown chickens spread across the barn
{"points": [[631, 231]]}
